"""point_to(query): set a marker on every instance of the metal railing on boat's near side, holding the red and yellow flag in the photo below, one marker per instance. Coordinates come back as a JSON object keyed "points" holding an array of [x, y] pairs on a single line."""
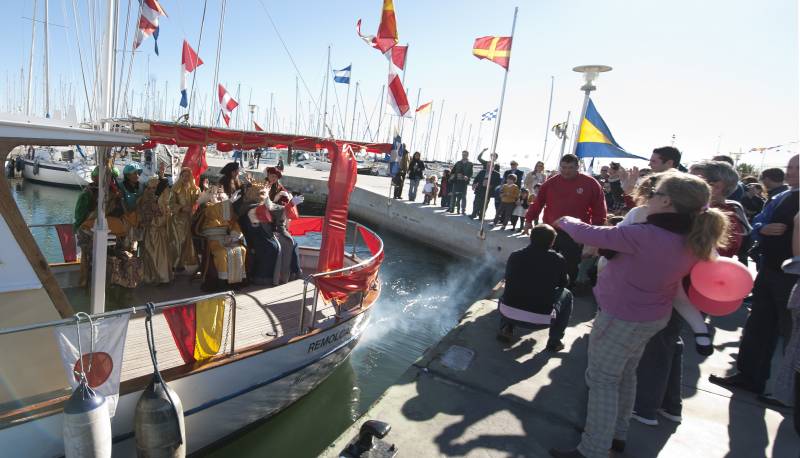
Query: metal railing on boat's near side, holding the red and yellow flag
{"points": [[158, 307]]}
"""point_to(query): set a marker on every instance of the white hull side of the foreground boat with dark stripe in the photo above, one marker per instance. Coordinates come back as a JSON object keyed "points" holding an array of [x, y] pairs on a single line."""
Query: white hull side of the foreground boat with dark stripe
{"points": [[219, 401]]}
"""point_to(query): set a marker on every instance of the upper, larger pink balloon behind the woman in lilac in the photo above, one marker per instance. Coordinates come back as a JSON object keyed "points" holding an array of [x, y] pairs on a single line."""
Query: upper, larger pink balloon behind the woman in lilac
{"points": [[723, 280]]}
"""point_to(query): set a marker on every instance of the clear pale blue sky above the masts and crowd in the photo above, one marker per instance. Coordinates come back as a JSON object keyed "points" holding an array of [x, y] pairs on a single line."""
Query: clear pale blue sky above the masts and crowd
{"points": [[718, 74]]}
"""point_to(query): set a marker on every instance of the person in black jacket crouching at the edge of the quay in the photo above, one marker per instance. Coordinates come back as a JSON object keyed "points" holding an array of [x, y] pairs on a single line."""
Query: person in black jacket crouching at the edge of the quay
{"points": [[536, 280]]}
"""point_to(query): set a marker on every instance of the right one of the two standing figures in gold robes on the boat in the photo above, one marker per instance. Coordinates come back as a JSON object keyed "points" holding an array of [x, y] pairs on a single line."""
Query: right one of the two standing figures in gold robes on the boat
{"points": [[182, 202]]}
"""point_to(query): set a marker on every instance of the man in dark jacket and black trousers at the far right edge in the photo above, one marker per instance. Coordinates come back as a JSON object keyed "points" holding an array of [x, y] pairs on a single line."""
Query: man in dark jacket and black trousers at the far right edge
{"points": [[769, 317]]}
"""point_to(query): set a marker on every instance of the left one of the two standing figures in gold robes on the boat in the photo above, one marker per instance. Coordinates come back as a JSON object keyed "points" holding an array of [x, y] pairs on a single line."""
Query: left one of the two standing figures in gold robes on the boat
{"points": [[154, 214]]}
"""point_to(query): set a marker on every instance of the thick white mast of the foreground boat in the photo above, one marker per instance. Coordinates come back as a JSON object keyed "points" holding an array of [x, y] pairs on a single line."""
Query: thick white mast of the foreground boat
{"points": [[105, 78]]}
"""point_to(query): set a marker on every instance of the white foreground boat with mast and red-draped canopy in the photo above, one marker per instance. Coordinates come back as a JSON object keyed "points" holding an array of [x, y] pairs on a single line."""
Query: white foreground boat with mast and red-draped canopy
{"points": [[278, 343]]}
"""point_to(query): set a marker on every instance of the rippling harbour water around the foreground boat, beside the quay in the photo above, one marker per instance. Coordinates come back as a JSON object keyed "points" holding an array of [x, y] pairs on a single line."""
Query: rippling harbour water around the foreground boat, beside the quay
{"points": [[424, 292]]}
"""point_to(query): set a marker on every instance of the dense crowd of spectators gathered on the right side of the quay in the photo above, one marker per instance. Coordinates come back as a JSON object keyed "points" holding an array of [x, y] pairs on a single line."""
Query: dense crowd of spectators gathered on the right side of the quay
{"points": [[642, 231]]}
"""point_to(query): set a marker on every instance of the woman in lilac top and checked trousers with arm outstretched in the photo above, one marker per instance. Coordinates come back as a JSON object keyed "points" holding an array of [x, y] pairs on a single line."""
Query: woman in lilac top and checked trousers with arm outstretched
{"points": [[634, 295]]}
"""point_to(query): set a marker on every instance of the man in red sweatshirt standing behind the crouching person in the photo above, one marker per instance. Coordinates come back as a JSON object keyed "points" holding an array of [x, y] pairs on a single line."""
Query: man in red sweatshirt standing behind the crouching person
{"points": [[570, 193]]}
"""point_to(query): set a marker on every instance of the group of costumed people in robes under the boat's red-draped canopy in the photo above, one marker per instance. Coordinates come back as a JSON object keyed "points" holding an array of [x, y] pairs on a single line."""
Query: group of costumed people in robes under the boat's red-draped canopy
{"points": [[228, 234]]}
